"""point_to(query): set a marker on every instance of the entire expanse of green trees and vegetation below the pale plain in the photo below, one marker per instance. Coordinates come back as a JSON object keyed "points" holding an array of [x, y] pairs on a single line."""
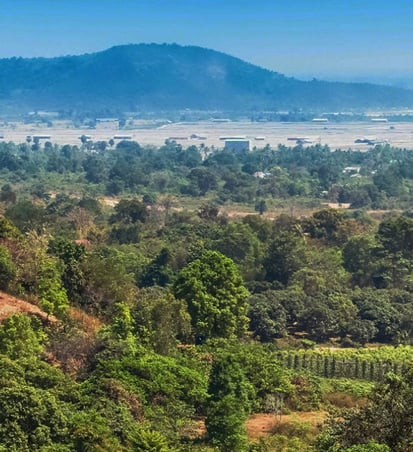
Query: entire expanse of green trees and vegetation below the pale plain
{"points": [[166, 324]]}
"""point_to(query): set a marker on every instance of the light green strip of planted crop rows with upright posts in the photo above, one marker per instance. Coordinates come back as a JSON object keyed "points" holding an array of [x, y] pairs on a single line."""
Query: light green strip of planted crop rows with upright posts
{"points": [[363, 364]]}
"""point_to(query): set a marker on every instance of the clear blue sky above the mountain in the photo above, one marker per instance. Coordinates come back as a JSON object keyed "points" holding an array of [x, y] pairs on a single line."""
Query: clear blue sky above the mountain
{"points": [[356, 40]]}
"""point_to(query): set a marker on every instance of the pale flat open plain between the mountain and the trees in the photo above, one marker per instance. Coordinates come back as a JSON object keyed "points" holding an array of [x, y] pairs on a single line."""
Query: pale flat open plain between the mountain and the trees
{"points": [[336, 135]]}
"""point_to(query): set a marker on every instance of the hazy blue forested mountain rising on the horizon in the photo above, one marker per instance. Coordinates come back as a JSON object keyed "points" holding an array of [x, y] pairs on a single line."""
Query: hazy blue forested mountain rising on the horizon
{"points": [[171, 77]]}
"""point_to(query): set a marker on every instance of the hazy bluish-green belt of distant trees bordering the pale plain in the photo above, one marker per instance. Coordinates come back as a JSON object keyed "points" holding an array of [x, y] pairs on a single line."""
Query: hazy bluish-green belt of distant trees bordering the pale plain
{"points": [[380, 178]]}
